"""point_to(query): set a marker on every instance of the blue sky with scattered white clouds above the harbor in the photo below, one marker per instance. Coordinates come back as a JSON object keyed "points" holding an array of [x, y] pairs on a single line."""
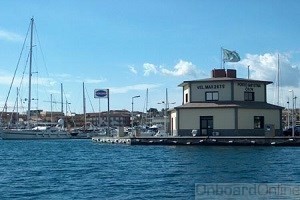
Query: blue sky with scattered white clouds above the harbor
{"points": [[129, 46]]}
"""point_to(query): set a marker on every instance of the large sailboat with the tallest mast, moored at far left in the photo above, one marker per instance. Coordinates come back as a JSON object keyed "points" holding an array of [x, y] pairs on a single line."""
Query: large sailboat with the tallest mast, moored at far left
{"points": [[31, 130]]}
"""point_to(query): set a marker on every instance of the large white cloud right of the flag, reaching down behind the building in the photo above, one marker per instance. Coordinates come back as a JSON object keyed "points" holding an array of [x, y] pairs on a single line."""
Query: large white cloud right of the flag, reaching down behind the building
{"points": [[265, 67]]}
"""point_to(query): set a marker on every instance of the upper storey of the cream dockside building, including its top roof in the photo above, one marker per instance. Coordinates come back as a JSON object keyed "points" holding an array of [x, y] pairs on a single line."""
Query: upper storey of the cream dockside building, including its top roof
{"points": [[224, 86]]}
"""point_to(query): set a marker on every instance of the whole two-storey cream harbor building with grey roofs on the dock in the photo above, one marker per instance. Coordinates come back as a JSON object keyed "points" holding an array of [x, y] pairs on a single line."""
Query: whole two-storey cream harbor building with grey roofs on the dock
{"points": [[225, 105]]}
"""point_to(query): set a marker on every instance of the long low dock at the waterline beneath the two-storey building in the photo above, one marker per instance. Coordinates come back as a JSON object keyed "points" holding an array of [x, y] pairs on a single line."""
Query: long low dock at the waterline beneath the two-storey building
{"points": [[203, 141]]}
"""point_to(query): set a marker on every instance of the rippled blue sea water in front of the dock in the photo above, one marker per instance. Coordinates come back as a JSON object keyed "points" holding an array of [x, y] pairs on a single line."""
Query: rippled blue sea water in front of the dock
{"points": [[83, 169]]}
